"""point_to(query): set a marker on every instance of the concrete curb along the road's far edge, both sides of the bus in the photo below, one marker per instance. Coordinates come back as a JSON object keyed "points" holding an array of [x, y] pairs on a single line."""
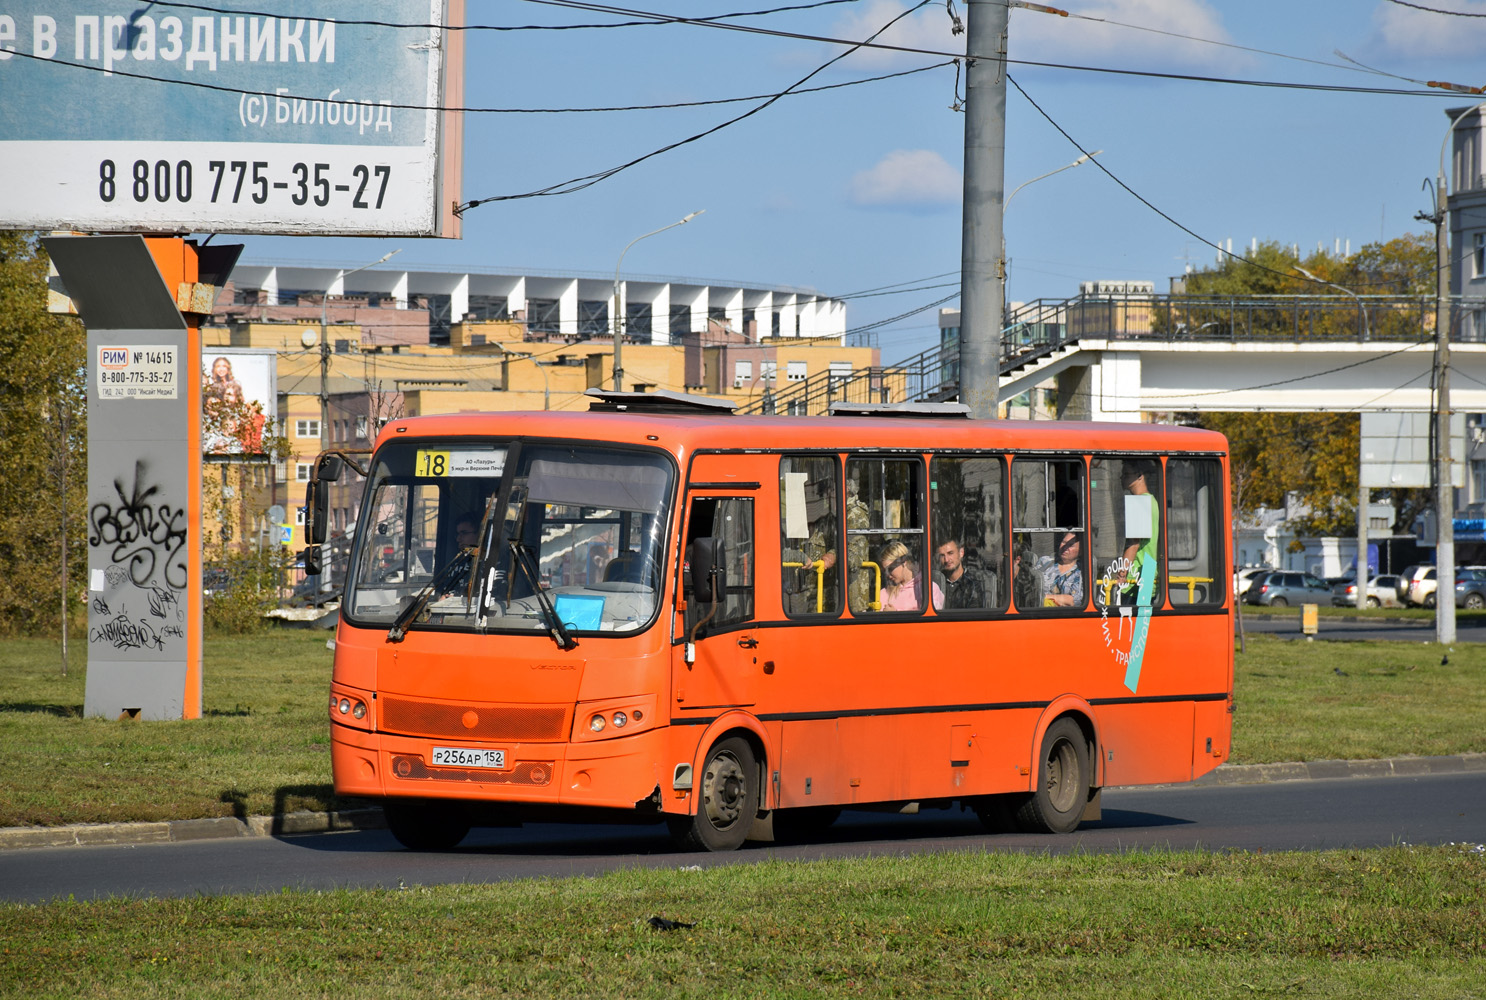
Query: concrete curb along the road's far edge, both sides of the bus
{"points": [[337, 822]]}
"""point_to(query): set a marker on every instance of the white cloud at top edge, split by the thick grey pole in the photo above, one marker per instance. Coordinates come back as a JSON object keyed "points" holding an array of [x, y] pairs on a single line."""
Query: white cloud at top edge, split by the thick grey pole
{"points": [[1166, 32]]}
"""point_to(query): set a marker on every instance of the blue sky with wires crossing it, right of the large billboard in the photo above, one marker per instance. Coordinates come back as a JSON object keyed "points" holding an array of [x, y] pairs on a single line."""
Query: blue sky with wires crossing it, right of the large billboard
{"points": [[860, 188]]}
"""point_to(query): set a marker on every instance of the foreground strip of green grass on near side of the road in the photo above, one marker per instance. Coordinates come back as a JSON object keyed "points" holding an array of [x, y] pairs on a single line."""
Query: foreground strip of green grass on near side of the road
{"points": [[1366, 925]]}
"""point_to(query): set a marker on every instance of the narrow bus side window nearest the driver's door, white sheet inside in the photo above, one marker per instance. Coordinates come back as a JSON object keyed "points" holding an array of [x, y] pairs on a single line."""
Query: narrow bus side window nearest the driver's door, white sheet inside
{"points": [[811, 537]]}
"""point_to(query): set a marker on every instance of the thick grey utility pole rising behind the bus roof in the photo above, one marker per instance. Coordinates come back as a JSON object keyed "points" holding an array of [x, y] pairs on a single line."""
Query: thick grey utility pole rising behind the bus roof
{"points": [[983, 264]]}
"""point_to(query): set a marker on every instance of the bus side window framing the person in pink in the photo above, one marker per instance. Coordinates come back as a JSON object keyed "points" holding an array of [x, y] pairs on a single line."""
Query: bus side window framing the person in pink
{"points": [[886, 540]]}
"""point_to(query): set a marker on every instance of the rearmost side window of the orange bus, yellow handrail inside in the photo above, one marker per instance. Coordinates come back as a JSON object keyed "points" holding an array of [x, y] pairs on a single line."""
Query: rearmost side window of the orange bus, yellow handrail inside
{"points": [[1195, 558]]}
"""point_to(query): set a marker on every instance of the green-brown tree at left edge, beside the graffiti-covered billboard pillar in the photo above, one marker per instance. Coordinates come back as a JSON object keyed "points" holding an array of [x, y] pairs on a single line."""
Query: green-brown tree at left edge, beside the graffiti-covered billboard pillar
{"points": [[45, 432]]}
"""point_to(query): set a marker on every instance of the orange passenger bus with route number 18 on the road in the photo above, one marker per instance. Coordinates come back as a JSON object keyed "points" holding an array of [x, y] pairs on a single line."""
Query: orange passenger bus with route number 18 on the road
{"points": [[748, 625]]}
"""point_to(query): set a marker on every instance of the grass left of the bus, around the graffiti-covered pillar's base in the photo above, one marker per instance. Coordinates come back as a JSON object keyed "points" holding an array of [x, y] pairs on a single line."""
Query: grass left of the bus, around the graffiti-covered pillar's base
{"points": [[262, 747]]}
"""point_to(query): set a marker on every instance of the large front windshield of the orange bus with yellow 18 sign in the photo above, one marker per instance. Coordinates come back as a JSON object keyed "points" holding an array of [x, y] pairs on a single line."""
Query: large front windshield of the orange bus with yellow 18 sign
{"points": [[586, 527]]}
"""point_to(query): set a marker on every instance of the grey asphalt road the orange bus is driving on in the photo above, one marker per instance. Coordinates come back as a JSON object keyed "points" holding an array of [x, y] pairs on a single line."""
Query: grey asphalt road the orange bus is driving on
{"points": [[1314, 815]]}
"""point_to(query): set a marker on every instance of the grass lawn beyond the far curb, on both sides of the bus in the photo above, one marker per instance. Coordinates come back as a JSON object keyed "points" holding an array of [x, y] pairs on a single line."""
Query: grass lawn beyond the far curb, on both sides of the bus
{"points": [[264, 744]]}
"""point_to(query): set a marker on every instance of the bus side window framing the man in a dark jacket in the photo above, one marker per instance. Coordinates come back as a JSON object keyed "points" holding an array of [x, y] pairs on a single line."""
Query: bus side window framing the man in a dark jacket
{"points": [[970, 533]]}
